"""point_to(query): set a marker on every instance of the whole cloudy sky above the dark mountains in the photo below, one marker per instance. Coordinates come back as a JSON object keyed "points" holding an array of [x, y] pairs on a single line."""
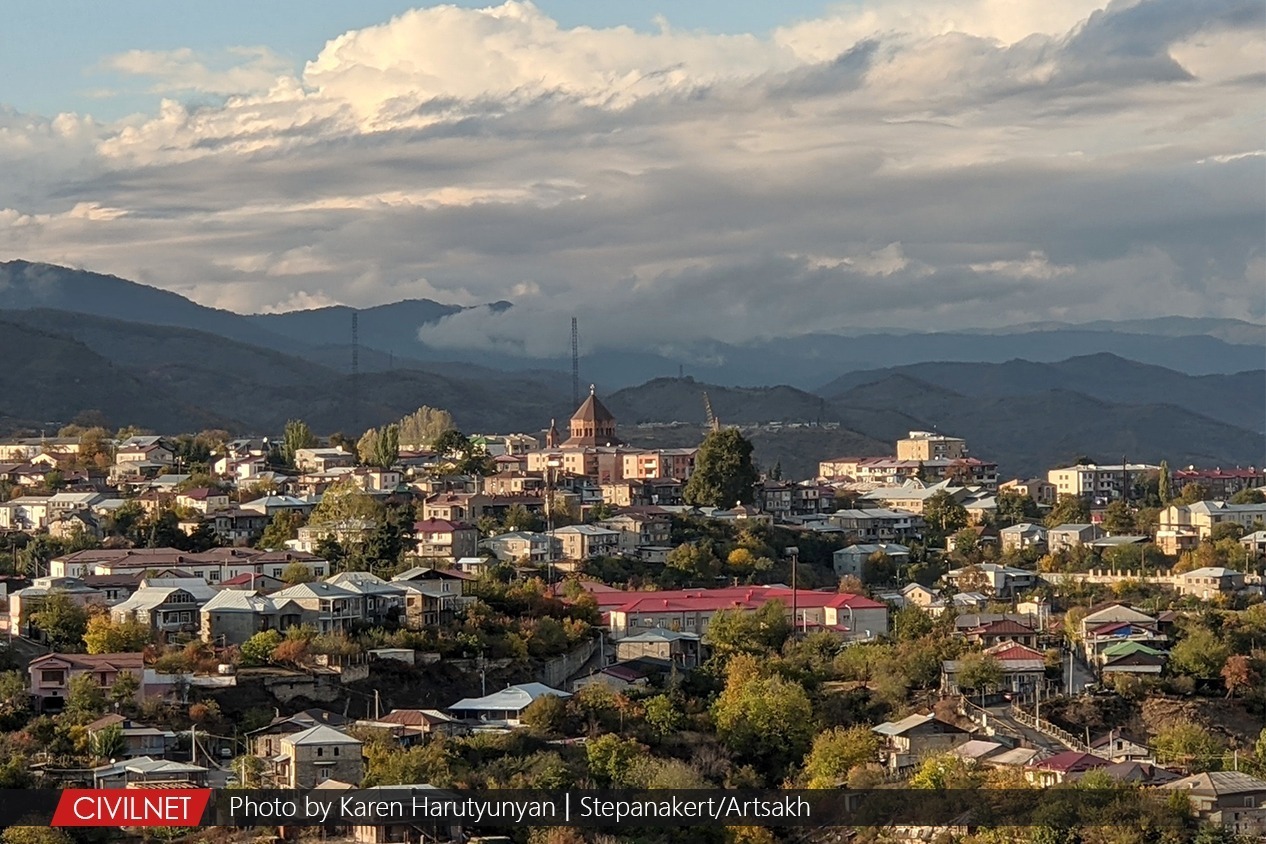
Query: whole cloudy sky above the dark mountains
{"points": [[663, 170]]}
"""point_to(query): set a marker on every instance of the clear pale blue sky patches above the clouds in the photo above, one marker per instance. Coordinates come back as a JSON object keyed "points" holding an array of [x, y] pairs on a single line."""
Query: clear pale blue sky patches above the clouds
{"points": [[53, 51]]}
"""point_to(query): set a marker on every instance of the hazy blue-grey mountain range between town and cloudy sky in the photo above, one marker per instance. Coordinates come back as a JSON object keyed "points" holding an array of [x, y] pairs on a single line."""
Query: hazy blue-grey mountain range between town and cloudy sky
{"points": [[75, 341]]}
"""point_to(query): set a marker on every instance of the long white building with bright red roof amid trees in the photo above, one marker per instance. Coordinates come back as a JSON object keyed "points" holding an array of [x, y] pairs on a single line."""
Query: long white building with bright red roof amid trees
{"points": [[853, 617]]}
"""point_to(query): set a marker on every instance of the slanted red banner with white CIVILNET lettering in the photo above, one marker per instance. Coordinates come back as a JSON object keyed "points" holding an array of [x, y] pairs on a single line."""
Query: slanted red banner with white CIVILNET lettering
{"points": [[132, 808]]}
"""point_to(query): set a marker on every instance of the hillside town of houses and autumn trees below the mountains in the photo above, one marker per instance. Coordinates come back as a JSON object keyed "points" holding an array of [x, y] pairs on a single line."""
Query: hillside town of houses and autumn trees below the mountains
{"points": [[421, 607]]}
